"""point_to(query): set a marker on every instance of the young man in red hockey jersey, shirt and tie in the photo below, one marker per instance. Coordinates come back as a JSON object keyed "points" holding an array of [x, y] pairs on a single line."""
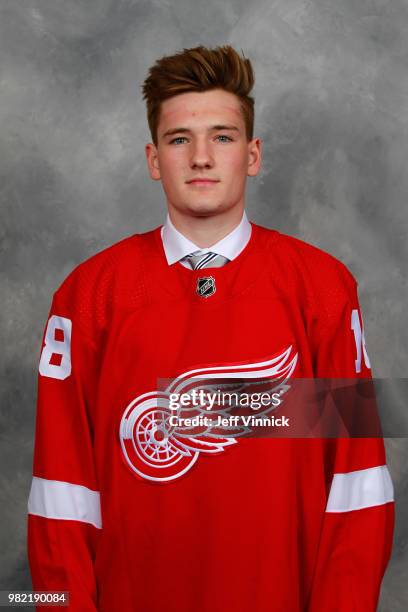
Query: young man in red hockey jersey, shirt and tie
{"points": [[131, 512]]}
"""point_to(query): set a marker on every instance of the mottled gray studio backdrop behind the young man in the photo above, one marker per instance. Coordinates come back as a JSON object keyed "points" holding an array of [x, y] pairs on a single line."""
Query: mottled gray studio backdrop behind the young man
{"points": [[331, 107]]}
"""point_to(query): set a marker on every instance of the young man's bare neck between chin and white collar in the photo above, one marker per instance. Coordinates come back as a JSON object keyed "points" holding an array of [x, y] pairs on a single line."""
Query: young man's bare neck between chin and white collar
{"points": [[206, 229]]}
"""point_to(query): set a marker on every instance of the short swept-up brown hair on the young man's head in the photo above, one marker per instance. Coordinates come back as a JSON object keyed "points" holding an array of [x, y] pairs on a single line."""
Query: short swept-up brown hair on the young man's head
{"points": [[199, 69]]}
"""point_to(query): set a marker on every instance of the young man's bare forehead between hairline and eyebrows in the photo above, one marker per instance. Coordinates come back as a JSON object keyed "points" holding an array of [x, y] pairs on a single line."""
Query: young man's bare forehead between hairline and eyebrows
{"points": [[196, 107]]}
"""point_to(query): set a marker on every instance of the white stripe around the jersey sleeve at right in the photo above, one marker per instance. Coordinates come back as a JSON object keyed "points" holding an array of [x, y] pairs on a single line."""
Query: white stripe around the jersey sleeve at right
{"points": [[360, 489]]}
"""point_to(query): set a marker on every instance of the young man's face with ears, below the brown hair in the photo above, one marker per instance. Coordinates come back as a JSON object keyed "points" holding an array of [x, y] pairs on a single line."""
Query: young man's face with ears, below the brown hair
{"points": [[192, 144]]}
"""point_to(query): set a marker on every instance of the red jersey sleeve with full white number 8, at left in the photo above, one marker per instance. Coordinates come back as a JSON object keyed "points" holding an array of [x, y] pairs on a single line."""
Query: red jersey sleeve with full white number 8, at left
{"points": [[64, 514]]}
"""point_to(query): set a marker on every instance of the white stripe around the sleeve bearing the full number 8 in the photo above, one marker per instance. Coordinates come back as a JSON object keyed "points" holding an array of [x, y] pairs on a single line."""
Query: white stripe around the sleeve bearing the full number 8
{"points": [[64, 500]]}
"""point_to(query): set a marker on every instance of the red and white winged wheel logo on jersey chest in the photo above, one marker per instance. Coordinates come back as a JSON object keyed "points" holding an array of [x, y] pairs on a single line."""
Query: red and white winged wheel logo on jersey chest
{"points": [[158, 450]]}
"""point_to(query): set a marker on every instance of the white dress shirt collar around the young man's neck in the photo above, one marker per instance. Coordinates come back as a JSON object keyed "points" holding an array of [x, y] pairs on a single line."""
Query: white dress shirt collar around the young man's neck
{"points": [[176, 245]]}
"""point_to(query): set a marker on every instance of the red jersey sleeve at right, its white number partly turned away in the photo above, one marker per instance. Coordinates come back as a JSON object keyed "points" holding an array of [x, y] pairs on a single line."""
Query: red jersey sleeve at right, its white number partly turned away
{"points": [[358, 523]]}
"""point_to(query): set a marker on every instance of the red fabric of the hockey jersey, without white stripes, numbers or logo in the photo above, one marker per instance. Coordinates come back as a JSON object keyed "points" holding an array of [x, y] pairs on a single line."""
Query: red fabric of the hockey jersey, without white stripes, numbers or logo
{"points": [[244, 529]]}
